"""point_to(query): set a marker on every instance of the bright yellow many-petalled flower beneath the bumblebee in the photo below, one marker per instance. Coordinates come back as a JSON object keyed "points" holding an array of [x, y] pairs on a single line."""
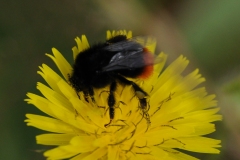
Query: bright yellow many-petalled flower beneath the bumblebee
{"points": [[178, 115]]}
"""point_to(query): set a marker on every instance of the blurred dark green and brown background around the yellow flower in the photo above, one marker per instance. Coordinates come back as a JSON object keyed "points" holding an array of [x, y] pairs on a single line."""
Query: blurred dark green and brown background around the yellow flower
{"points": [[206, 32]]}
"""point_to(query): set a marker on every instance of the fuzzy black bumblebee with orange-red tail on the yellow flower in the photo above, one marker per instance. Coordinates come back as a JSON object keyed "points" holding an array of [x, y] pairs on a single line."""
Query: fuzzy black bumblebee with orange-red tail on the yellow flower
{"points": [[109, 63]]}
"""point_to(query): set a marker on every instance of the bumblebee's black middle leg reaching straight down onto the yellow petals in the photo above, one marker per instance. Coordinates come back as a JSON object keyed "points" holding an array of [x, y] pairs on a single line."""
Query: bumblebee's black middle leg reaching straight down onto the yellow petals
{"points": [[111, 102]]}
